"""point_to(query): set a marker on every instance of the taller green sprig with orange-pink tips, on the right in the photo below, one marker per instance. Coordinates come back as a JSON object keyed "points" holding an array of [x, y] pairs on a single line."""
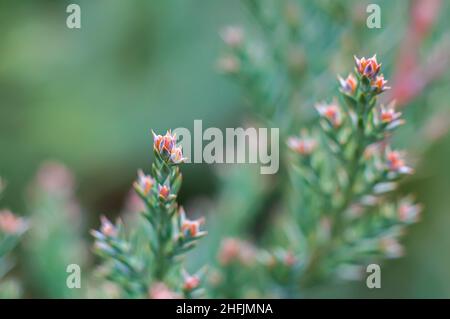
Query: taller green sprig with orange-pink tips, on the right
{"points": [[345, 174]]}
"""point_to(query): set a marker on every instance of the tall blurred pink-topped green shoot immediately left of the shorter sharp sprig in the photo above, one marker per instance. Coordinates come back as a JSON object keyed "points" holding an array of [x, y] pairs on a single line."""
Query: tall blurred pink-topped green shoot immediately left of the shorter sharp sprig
{"points": [[53, 241]]}
